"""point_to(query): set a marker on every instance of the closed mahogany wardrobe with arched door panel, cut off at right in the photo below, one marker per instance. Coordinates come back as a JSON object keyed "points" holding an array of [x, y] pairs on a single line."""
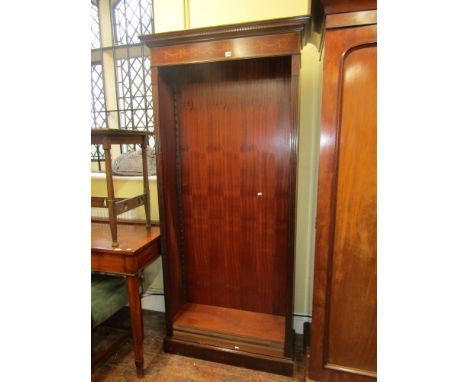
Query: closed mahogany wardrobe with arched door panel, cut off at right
{"points": [[342, 343]]}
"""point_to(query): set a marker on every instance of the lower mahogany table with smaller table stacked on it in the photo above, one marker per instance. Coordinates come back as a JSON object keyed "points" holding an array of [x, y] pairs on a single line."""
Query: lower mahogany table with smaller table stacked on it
{"points": [[138, 247]]}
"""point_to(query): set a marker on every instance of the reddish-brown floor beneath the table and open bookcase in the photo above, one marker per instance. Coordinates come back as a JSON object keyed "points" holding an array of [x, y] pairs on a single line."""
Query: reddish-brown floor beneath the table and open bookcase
{"points": [[119, 365]]}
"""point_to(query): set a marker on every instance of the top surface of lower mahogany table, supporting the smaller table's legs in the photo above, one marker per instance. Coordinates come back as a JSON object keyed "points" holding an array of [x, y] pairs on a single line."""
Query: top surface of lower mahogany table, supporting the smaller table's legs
{"points": [[132, 238]]}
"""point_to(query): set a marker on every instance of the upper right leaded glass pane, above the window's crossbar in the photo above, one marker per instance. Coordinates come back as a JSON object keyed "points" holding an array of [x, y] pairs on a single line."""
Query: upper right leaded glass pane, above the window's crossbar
{"points": [[132, 18]]}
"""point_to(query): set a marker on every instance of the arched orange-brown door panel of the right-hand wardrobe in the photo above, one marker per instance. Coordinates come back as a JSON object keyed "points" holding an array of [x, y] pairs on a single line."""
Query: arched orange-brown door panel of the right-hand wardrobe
{"points": [[352, 307]]}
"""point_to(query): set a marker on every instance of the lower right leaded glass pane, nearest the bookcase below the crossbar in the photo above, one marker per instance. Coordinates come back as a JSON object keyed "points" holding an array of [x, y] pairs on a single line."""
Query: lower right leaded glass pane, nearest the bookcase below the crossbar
{"points": [[134, 96]]}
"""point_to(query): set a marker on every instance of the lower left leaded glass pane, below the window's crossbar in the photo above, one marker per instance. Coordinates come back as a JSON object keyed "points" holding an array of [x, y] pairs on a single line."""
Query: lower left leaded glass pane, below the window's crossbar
{"points": [[98, 107]]}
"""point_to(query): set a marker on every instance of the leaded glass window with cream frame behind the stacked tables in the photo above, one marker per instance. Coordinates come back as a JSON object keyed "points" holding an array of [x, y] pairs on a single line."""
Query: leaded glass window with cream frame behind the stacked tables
{"points": [[119, 58]]}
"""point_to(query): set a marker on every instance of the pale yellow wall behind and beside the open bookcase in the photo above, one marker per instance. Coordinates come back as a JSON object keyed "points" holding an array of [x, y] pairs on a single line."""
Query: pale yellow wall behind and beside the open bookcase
{"points": [[173, 15]]}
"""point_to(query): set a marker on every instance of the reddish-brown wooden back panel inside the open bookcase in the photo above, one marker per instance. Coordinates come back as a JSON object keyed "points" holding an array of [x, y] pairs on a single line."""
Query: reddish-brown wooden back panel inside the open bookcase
{"points": [[235, 154]]}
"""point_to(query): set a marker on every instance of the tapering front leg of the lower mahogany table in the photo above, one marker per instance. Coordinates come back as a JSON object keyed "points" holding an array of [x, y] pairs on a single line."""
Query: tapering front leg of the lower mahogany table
{"points": [[136, 318]]}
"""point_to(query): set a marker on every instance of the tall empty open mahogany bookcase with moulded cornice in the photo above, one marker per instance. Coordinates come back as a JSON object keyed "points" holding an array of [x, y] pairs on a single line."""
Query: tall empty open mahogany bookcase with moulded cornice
{"points": [[226, 109]]}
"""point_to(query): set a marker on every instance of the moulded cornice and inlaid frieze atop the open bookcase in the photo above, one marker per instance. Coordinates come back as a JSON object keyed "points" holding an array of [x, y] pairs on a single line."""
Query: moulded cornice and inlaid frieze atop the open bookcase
{"points": [[264, 38]]}
